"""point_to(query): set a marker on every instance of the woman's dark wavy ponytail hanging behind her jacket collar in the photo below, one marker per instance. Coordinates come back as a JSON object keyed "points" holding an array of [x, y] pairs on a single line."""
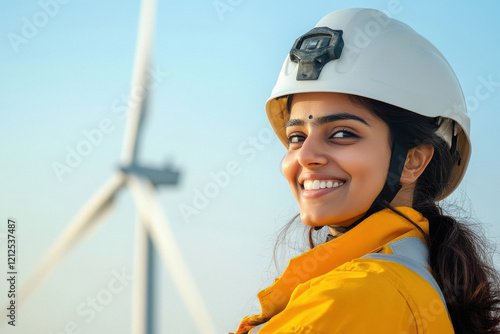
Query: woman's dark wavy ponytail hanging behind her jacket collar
{"points": [[458, 262]]}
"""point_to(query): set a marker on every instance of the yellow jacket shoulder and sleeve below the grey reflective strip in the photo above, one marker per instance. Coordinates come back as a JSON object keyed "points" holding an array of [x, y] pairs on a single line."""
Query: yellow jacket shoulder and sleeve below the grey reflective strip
{"points": [[363, 296]]}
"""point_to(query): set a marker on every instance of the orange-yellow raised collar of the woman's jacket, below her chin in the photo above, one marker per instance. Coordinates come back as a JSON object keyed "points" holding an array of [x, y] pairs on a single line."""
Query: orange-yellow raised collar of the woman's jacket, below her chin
{"points": [[367, 237]]}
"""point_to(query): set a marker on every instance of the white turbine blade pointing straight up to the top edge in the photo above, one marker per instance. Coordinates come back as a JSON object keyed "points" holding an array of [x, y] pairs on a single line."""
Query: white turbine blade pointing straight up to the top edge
{"points": [[139, 89]]}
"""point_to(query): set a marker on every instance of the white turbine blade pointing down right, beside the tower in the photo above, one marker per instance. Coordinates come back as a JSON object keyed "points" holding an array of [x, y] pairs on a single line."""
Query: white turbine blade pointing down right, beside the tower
{"points": [[158, 228]]}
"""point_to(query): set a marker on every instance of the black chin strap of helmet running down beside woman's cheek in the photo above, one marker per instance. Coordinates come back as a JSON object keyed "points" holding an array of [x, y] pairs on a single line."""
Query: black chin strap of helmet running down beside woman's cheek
{"points": [[391, 187]]}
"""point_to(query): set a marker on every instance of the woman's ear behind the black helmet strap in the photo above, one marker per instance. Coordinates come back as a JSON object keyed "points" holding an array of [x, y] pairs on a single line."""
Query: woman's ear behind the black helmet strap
{"points": [[416, 161]]}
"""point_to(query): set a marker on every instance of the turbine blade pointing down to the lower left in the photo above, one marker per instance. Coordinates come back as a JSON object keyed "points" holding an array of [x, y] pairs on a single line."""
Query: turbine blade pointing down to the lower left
{"points": [[87, 217]]}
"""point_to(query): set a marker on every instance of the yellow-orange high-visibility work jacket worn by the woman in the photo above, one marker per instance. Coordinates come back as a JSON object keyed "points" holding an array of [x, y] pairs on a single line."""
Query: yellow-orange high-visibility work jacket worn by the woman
{"points": [[333, 289]]}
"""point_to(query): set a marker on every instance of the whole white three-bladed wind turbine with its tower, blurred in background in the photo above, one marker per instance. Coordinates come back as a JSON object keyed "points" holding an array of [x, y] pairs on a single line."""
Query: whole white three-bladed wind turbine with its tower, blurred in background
{"points": [[152, 228]]}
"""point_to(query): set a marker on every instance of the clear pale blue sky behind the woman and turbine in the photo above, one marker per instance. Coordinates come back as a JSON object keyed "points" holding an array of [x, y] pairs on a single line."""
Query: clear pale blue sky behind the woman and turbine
{"points": [[65, 73]]}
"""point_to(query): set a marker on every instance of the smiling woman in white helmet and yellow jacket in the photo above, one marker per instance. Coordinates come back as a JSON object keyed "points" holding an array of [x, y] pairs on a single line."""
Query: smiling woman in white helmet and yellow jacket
{"points": [[376, 129]]}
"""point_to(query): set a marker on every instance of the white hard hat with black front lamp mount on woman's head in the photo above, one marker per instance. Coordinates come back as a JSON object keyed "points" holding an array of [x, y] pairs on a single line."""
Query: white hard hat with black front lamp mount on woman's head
{"points": [[364, 52]]}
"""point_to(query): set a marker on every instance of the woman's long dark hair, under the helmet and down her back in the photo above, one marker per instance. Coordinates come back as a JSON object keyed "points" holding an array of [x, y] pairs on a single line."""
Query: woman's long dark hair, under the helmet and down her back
{"points": [[458, 255]]}
